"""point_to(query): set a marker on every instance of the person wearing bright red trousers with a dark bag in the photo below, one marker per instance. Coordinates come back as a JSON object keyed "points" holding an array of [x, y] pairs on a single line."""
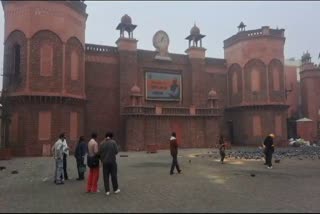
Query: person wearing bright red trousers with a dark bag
{"points": [[93, 164]]}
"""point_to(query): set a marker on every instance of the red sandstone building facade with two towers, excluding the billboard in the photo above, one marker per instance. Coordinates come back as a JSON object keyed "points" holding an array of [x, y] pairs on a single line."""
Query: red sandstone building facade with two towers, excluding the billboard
{"points": [[56, 83]]}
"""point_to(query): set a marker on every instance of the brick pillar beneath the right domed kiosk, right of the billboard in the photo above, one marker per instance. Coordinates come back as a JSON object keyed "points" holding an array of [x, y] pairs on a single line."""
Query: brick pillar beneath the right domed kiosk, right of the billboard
{"points": [[197, 66]]}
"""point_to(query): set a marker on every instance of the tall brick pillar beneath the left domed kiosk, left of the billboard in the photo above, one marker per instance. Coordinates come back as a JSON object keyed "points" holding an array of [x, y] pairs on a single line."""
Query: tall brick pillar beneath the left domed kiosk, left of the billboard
{"points": [[128, 59]]}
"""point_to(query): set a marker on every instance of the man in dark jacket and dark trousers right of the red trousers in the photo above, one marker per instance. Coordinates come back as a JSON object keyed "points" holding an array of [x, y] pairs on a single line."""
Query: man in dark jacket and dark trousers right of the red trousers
{"points": [[108, 150]]}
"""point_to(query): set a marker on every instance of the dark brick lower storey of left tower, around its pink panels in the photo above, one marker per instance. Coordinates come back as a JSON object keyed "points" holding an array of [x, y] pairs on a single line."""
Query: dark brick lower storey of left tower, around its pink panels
{"points": [[28, 142]]}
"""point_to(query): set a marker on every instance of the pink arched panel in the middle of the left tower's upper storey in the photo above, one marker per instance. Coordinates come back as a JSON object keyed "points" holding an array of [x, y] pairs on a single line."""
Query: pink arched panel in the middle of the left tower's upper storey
{"points": [[46, 58]]}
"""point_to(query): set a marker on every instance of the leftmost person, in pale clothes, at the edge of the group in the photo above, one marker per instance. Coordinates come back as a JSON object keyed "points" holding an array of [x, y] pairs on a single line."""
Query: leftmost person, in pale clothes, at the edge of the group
{"points": [[57, 151]]}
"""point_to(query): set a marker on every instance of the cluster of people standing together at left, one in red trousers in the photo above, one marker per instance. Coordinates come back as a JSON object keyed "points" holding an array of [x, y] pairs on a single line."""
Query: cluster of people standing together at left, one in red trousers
{"points": [[105, 152]]}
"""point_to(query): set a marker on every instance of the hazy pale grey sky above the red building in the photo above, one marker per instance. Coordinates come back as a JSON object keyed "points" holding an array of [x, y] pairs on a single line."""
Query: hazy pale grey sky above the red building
{"points": [[217, 20]]}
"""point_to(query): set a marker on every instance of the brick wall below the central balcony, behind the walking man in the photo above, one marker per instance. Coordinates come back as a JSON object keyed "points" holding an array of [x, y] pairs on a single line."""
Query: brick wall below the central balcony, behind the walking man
{"points": [[191, 132]]}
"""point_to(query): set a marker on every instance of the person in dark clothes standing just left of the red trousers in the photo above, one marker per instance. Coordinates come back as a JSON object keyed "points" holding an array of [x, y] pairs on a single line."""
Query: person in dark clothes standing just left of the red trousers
{"points": [[80, 152]]}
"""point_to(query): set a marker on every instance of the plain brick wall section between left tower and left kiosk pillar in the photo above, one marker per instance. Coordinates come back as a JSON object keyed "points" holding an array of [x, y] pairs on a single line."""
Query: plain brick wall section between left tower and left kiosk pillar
{"points": [[103, 104]]}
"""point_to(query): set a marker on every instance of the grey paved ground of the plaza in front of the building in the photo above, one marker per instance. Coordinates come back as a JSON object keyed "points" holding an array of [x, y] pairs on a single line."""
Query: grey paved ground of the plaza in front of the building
{"points": [[146, 186]]}
